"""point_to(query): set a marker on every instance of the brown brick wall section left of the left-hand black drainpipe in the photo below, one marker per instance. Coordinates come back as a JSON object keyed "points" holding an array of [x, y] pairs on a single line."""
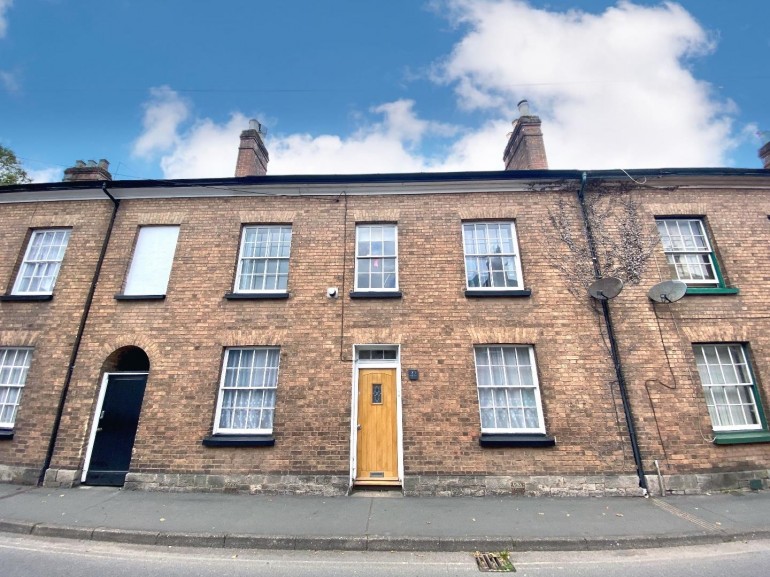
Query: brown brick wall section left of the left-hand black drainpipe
{"points": [[49, 327]]}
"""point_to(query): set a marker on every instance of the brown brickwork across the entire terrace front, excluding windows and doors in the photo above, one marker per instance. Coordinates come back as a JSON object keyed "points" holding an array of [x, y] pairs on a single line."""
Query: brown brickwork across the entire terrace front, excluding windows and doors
{"points": [[435, 325]]}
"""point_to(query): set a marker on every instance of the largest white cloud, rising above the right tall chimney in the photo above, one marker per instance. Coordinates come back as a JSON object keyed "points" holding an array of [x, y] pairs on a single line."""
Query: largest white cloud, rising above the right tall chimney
{"points": [[613, 89]]}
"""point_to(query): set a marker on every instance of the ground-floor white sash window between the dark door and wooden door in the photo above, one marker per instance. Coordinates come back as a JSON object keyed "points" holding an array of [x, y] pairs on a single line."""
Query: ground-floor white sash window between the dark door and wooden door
{"points": [[247, 390]]}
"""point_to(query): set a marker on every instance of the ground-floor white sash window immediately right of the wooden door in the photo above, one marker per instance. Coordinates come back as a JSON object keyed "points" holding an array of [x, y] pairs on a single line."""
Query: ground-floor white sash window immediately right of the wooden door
{"points": [[509, 395]]}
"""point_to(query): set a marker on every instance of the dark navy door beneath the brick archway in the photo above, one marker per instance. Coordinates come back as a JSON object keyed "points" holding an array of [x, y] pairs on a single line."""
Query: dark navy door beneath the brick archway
{"points": [[116, 430]]}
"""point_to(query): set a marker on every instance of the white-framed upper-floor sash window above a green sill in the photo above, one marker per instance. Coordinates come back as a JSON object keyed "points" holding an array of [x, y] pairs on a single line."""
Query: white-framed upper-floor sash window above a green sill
{"points": [[688, 251]]}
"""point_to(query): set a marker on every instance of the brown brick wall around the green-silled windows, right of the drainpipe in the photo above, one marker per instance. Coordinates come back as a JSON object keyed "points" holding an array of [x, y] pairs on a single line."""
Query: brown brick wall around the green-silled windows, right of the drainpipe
{"points": [[740, 233]]}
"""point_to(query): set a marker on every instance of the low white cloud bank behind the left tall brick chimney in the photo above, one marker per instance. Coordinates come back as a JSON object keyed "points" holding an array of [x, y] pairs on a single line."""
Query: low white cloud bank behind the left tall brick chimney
{"points": [[205, 148]]}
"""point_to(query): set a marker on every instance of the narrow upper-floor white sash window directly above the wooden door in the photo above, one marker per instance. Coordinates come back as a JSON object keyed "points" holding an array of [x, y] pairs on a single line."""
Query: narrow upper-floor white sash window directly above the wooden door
{"points": [[376, 257]]}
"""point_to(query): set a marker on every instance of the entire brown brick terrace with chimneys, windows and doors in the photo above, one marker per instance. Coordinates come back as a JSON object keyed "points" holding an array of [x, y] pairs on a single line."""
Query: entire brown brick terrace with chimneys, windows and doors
{"points": [[432, 331]]}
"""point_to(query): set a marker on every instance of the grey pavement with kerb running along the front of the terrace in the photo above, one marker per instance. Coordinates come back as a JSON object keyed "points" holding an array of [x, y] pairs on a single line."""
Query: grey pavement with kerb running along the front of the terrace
{"points": [[382, 521]]}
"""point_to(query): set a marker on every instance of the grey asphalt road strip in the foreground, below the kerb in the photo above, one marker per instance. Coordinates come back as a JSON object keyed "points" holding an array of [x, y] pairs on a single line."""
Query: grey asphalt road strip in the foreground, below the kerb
{"points": [[34, 556]]}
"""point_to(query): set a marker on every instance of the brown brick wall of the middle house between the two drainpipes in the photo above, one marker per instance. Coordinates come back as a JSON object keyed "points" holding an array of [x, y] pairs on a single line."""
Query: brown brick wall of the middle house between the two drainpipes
{"points": [[435, 324]]}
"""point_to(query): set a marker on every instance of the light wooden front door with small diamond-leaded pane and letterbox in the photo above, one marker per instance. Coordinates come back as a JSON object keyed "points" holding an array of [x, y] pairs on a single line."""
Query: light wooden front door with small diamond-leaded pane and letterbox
{"points": [[377, 441]]}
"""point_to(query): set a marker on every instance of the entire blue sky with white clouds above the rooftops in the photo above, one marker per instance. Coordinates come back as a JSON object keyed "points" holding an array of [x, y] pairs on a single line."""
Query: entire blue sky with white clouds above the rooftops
{"points": [[162, 89]]}
